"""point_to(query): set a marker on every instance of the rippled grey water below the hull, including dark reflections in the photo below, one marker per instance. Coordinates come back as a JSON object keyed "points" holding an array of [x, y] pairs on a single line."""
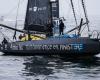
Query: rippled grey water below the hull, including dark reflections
{"points": [[48, 68]]}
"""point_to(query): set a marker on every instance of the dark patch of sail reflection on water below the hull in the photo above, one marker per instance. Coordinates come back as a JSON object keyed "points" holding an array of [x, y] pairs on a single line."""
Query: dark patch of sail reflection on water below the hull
{"points": [[37, 66]]}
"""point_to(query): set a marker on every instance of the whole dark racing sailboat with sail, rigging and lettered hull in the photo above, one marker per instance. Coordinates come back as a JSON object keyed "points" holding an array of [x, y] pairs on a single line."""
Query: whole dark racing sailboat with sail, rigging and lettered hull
{"points": [[38, 14]]}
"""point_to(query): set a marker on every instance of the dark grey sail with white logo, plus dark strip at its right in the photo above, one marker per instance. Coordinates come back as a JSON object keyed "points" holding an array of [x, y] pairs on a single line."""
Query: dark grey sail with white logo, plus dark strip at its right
{"points": [[38, 13]]}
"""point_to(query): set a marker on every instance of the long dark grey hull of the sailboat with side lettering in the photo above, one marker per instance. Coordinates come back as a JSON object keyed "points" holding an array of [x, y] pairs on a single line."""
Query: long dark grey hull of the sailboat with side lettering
{"points": [[54, 46]]}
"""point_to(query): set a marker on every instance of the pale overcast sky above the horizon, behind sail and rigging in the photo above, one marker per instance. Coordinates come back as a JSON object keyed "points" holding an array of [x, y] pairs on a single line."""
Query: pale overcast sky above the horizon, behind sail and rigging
{"points": [[93, 6]]}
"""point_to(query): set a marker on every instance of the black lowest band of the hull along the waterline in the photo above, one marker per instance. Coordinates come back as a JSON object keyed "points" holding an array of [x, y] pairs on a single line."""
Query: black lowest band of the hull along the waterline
{"points": [[64, 54]]}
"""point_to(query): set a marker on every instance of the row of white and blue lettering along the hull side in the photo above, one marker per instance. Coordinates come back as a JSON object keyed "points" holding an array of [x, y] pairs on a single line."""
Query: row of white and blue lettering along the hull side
{"points": [[67, 47]]}
